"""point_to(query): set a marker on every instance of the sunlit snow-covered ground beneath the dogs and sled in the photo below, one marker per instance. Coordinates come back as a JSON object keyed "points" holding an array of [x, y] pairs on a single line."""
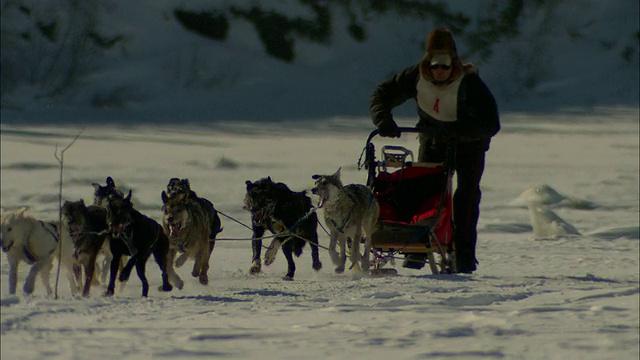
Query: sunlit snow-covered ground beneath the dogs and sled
{"points": [[537, 294]]}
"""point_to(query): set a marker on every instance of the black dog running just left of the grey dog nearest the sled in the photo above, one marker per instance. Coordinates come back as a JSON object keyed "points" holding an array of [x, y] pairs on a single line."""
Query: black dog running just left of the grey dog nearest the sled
{"points": [[287, 215]]}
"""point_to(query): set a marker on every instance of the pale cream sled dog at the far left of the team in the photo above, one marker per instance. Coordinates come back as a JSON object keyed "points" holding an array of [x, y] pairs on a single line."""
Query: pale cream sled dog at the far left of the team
{"points": [[35, 242]]}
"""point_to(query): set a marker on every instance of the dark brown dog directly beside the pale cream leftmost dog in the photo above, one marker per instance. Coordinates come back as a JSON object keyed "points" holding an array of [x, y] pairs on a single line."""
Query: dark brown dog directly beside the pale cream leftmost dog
{"points": [[88, 230]]}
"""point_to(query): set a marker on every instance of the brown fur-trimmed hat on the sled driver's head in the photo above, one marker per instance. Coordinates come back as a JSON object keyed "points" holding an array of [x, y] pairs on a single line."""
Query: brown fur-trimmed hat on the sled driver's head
{"points": [[440, 42]]}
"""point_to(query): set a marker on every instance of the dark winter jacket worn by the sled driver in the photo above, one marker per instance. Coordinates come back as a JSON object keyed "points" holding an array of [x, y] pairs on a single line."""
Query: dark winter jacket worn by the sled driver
{"points": [[477, 112]]}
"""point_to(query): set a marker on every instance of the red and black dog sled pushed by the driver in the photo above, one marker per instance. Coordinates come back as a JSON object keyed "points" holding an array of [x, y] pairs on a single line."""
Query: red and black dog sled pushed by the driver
{"points": [[416, 208]]}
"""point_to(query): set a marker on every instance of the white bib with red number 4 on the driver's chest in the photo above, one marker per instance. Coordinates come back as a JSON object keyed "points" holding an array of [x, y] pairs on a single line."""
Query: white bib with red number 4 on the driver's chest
{"points": [[439, 103]]}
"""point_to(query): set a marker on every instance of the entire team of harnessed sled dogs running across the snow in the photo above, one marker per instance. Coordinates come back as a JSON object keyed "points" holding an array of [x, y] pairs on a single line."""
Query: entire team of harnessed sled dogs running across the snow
{"points": [[126, 238]]}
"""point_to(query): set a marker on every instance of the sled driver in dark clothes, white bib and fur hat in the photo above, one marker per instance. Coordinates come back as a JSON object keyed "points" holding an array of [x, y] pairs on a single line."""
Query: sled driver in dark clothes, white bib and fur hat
{"points": [[454, 107]]}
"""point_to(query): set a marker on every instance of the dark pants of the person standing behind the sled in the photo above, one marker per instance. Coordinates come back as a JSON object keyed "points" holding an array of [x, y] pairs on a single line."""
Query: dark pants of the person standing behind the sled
{"points": [[468, 162]]}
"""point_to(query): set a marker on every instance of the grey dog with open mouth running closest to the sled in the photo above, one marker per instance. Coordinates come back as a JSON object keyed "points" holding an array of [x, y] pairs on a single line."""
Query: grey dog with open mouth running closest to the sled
{"points": [[350, 212]]}
